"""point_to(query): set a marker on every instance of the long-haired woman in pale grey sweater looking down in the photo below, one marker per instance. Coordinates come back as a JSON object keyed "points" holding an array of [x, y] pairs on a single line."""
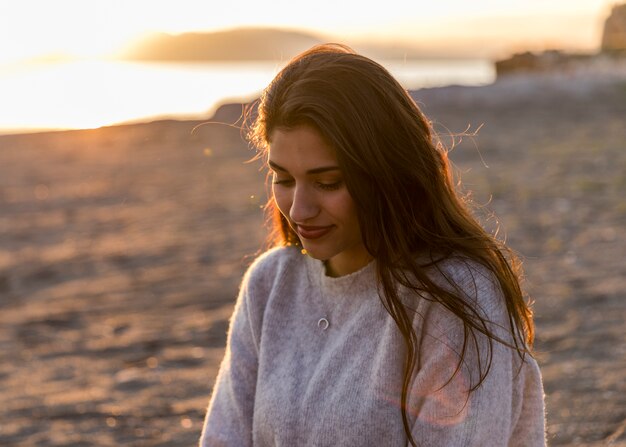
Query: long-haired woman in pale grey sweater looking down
{"points": [[384, 314]]}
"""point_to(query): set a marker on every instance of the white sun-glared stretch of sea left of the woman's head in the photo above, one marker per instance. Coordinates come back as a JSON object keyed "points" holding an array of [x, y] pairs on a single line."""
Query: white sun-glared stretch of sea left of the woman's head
{"points": [[88, 94]]}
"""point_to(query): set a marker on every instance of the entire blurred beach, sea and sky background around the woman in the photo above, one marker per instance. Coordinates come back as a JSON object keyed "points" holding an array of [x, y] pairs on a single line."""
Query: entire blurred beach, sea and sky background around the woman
{"points": [[129, 207]]}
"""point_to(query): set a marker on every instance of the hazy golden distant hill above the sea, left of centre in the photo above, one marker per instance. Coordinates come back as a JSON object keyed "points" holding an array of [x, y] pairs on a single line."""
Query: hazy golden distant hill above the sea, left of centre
{"points": [[231, 45]]}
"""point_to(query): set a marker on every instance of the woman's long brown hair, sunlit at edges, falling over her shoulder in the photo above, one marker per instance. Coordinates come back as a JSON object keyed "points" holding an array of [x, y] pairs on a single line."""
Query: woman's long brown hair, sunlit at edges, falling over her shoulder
{"points": [[400, 180]]}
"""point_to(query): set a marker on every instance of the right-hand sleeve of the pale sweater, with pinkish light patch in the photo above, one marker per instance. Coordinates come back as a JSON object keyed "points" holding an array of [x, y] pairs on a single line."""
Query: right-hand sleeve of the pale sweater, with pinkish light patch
{"points": [[506, 409]]}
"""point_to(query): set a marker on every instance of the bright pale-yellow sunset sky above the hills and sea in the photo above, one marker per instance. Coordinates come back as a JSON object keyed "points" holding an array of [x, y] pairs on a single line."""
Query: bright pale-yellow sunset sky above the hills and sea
{"points": [[92, 28]]}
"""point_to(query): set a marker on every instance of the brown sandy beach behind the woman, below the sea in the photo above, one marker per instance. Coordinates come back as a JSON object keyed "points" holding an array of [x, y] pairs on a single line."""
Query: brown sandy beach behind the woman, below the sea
{"points": [[121, 251]]}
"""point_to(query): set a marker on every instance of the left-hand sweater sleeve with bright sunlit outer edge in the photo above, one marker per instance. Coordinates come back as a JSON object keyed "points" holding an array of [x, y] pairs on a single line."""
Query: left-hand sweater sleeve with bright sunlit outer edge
{"points": [[228, 421]]}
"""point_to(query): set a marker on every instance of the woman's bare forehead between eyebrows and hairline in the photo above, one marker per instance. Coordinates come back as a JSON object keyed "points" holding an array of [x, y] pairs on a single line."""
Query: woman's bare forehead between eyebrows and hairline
{"points": [[301, 147]]}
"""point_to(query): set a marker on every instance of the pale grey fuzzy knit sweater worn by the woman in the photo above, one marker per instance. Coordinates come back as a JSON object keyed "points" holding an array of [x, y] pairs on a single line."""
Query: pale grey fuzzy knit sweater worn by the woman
{"points": [[287, 381]]}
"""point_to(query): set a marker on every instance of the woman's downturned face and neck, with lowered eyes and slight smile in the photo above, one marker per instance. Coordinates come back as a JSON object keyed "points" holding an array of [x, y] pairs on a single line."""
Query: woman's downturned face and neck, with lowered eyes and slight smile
{"points": [[309, 190]]}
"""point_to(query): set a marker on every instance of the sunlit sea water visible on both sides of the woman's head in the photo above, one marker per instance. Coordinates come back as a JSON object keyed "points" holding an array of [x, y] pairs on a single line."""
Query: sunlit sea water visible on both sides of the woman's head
{"points": [[88, 94]]}
